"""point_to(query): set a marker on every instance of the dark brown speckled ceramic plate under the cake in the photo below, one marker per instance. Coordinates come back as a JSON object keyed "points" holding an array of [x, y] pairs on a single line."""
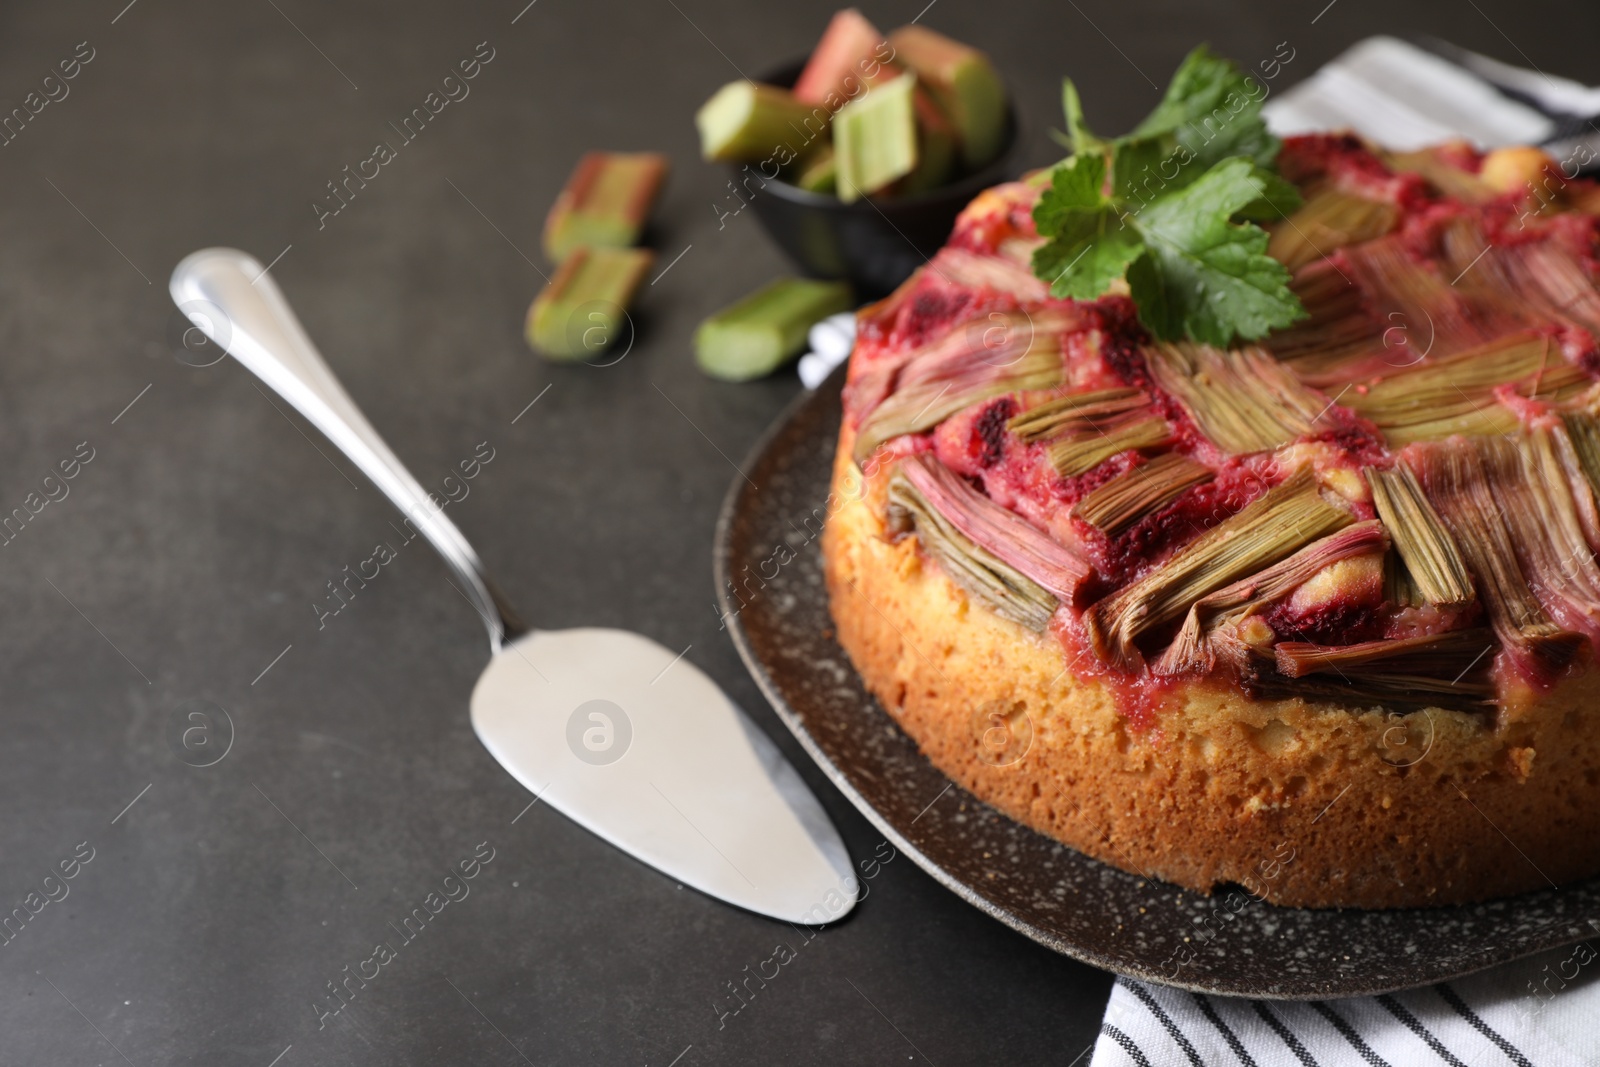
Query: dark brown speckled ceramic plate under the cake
{"points": [[1078, 906]]}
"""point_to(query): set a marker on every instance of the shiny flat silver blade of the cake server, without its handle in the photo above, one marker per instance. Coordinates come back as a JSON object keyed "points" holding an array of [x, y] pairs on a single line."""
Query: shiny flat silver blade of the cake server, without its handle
{"points": [[639, 746]]}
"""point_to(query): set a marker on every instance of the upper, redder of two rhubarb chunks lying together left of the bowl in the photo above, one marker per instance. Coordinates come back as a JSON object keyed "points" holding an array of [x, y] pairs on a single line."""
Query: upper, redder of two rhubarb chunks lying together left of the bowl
{"points": [[606, 202]]}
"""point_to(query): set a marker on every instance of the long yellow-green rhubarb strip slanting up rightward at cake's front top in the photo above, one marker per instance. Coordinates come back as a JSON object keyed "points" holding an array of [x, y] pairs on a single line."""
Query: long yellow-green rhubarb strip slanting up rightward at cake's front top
{"points": [[1279, 524]]}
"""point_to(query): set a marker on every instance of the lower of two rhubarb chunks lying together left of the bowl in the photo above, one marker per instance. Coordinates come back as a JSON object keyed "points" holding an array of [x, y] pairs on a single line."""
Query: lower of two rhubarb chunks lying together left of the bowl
{"points": [[585, 306]]}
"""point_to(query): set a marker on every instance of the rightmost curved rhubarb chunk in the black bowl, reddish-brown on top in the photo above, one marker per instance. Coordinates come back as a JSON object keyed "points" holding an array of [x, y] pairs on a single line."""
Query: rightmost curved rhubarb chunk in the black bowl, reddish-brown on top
{"points": [[964, 84]]}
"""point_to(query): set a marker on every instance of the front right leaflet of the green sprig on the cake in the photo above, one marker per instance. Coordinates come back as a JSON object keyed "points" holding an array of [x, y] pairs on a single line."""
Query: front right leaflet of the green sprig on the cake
{"points": [[1206, 274]]}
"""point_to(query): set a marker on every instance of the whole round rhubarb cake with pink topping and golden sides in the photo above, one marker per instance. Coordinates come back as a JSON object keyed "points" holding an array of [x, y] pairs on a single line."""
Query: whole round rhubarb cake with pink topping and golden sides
{"points": [[1313, 615]]}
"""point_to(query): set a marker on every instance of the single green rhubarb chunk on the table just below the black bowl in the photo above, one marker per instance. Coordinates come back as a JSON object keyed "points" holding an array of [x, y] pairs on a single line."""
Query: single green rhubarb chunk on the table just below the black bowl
{"points": [[767, 329]]}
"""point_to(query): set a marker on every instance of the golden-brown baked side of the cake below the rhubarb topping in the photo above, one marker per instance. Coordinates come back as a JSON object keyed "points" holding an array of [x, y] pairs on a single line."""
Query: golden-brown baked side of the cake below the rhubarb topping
{"points": [[1302, 804]]}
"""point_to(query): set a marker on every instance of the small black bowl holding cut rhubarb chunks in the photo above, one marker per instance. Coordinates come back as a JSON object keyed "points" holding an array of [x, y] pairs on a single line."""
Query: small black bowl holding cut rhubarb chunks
{"points": [[874, 244]]}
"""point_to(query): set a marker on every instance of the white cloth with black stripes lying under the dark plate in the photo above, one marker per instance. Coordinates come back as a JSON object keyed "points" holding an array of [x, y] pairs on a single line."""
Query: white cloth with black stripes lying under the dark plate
{"points": [[1535, 1013]]}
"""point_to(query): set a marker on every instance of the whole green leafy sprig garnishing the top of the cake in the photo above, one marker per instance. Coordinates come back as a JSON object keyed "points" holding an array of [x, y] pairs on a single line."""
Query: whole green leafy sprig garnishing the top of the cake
{"points": [[1172, 209]]}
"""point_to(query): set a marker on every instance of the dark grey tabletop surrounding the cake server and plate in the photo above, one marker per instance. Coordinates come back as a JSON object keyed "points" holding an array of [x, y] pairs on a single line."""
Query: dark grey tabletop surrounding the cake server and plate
{"points": [[190, 551]]}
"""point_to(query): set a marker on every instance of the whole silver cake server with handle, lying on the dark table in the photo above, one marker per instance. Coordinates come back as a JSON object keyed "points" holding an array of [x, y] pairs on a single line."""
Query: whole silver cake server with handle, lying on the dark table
{"points": [[614, 730]]}
